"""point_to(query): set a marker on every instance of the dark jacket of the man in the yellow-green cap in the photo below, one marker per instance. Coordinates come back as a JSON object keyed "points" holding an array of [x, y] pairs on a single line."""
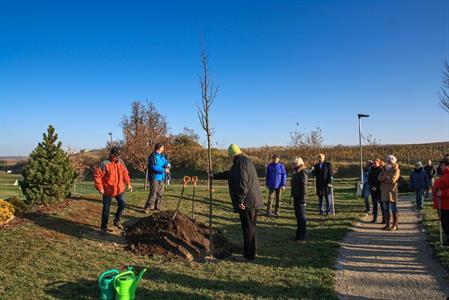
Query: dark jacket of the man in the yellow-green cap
{"points": [[244, 184]]}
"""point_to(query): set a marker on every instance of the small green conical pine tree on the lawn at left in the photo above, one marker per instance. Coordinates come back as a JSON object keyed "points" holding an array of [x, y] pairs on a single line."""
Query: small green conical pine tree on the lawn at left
{"points": [[48, 175]]}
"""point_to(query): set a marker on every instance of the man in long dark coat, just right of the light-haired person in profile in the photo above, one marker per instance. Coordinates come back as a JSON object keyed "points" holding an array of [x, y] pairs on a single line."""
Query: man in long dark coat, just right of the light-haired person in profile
{"points": [[323, 176]]}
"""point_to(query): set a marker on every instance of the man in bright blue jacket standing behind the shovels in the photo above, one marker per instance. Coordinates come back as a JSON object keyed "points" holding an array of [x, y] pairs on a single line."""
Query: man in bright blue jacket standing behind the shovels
{"points": [[158, 167]]}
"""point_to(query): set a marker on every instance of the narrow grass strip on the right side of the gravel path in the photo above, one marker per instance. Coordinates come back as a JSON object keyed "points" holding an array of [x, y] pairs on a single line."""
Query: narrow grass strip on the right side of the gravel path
{"points": [[431, 223]]}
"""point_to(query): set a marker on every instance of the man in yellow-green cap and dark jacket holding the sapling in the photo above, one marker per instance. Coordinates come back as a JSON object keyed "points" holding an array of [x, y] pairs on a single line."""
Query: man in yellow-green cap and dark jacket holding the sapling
{"points": [[244, 190]]}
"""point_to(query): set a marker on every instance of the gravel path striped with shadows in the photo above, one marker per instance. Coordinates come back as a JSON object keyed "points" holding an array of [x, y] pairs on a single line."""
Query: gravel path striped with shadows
{"points": [[377, 264]]}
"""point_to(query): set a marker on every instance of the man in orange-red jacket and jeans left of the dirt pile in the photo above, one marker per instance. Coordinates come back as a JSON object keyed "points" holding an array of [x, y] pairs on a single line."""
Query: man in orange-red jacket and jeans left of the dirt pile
{"points": [[110, 180]]}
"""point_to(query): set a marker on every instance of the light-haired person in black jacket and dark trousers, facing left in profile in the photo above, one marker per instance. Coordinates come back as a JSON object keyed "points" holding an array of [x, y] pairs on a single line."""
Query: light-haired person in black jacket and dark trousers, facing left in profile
{"points": [[299, 195]]}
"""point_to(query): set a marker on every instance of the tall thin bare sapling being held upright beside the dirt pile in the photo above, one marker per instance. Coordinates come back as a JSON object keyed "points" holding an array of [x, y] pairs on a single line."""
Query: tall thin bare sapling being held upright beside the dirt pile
{"points": [[208, 93]]}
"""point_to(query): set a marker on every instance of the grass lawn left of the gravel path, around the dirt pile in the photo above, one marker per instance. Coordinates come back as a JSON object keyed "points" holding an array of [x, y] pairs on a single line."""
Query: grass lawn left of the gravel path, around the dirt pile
{"points": [[59, 255]]}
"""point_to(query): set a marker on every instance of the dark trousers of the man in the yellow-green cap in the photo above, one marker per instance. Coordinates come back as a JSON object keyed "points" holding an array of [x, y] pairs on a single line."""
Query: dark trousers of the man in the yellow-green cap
{"points": [[248, 219]]}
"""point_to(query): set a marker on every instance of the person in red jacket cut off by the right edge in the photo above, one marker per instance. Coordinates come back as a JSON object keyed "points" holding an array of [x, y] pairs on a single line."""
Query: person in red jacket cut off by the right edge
{"points": [[440, 193]]}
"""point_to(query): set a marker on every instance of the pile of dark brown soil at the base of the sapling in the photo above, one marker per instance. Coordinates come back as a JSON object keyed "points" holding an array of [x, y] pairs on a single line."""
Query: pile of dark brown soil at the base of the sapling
{"points": [[158, 234]]}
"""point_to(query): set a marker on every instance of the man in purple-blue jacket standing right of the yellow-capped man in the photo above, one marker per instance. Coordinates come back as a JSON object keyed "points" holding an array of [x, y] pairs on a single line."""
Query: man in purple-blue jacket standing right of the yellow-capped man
{"points": [[275, 182]]}
